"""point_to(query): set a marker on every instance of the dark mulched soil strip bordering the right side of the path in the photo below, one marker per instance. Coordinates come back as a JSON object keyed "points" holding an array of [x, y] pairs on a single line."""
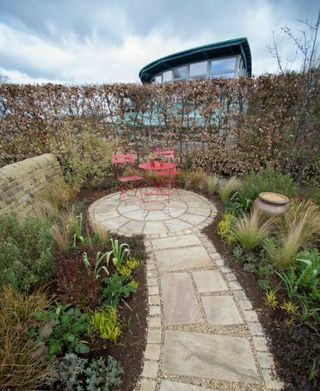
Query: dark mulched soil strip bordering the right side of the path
{"points": [[290, 345]]}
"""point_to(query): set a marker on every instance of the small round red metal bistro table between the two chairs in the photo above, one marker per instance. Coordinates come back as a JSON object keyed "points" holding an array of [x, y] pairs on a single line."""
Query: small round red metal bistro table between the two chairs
{"points": [[161, 169]]}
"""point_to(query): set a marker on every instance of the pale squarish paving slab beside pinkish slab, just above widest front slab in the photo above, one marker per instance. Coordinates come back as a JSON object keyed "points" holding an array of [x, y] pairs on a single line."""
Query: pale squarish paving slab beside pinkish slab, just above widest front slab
{"points": [[221, 310]]}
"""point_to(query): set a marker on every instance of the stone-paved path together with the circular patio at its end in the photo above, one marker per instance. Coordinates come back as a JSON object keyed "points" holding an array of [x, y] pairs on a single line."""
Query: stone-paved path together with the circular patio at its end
{"points": [[202, 332]]}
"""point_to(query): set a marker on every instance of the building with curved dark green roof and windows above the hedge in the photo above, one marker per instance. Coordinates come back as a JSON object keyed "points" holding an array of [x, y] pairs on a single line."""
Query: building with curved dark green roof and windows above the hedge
{"points": [[228, 59]]}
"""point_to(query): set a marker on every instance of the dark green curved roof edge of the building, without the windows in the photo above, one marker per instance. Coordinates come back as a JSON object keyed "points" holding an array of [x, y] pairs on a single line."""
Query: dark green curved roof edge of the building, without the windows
{"points": [[206, 52]]}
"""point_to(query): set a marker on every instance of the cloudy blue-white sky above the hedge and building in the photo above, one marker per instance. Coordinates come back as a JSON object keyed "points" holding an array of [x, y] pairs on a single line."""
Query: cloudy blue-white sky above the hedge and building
{"points": [[99, 41]]}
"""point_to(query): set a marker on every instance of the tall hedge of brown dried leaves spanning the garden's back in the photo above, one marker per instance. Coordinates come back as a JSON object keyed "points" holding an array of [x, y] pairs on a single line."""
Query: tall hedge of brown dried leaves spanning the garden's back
{"points": [[245, 123]]}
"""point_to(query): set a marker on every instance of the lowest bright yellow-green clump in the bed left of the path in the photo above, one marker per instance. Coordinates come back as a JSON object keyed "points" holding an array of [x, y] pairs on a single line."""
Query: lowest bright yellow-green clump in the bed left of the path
{"points": [[106, 324]]}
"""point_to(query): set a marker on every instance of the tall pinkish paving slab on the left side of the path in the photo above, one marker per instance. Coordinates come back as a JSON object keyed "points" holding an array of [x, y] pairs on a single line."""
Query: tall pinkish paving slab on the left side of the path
{"points": [[179, 300]]}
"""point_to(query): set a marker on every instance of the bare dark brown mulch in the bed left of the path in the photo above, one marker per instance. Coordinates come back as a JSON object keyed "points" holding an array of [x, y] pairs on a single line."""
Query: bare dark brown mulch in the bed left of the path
{"points": [[133, 312]]}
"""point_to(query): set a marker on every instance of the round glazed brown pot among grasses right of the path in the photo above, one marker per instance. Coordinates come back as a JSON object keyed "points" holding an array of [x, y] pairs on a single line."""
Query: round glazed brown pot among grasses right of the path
{"points": [[271, 204]]}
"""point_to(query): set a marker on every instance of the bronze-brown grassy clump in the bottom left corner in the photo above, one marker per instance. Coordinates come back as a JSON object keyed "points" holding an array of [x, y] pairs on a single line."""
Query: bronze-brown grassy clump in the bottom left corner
{"points": [[21, 365]]}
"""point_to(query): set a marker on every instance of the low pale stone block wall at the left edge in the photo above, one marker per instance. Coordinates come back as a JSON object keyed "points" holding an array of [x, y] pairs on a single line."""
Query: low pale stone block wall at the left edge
{"points": [[21, 182]]}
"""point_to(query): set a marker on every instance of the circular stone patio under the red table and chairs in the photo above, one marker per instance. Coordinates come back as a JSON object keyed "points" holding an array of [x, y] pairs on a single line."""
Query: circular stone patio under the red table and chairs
{"points": [[152, 215]]}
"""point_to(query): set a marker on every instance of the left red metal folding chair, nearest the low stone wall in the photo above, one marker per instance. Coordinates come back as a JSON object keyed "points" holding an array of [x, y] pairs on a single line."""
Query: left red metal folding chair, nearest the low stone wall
{"points": [[126, 160]]}
